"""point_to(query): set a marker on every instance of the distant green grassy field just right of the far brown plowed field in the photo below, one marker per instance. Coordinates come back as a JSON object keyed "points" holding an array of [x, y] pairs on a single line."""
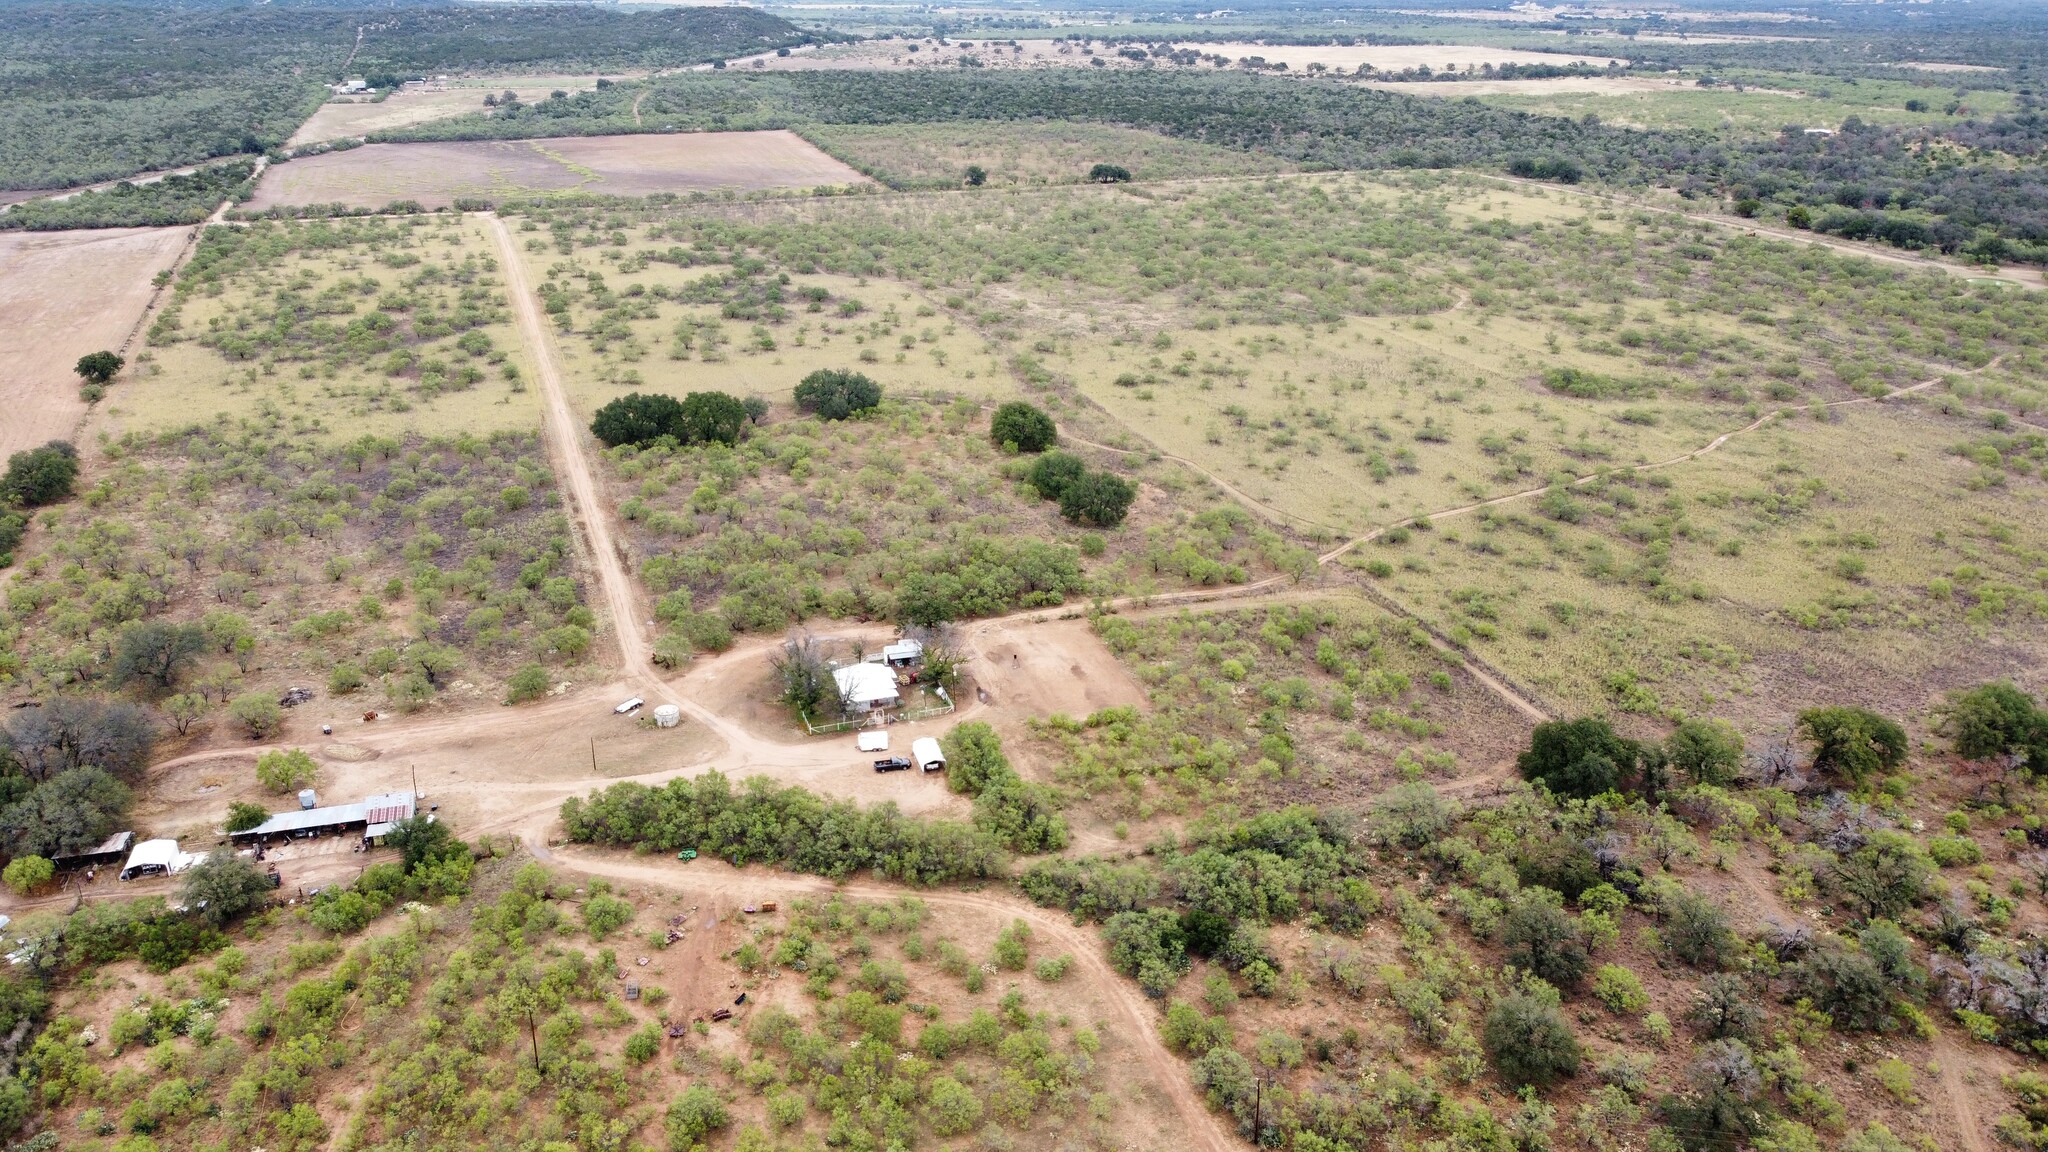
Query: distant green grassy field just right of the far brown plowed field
{"points": [[1025, 155]]}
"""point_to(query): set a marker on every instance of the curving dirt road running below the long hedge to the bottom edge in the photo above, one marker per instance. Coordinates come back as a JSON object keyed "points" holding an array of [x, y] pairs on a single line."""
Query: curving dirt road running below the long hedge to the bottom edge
{"points": [[1093, 969]]}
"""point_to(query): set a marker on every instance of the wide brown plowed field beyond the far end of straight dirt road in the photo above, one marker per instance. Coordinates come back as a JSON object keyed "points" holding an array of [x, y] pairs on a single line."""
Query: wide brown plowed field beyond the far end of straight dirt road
{"points": [[437, 175]]}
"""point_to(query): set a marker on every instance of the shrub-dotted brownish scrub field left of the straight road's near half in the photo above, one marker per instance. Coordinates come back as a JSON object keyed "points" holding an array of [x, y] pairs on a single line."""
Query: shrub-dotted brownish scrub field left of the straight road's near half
{"points": [[390, 569]]}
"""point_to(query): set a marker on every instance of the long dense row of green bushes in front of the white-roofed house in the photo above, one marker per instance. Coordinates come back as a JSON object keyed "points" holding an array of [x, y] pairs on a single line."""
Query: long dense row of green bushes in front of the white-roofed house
{"points": [[790, 827]]}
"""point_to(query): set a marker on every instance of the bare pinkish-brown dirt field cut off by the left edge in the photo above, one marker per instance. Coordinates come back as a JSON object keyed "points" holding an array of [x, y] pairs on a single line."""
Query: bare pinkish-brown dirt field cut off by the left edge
{"points": [[67, 294]]}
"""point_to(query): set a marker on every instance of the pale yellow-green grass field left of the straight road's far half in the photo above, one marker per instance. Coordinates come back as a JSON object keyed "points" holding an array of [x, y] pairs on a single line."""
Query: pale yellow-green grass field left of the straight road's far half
{"points": [[345, 329]]}
